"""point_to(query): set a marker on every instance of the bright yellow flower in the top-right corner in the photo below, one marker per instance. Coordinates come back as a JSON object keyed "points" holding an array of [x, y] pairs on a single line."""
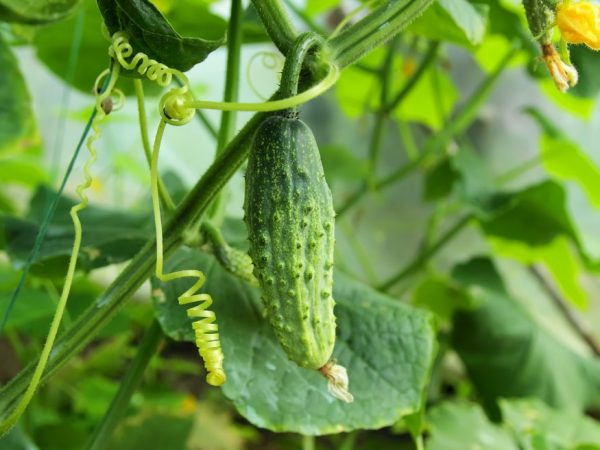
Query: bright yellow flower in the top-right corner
{"points": [[579, 23]]}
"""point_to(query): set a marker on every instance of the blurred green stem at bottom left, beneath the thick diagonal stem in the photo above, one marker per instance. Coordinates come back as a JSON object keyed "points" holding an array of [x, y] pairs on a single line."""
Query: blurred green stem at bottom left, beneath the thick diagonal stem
{"points": [[146, 350]]}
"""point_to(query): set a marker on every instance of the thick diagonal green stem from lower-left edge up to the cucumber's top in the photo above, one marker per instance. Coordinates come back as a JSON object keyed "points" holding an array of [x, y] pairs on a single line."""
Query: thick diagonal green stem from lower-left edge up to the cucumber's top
{"points": [[187, 214]]}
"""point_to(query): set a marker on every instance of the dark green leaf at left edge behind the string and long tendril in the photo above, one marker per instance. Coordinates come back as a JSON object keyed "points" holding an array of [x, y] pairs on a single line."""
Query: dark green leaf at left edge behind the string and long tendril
{"points": [[109, 236]]}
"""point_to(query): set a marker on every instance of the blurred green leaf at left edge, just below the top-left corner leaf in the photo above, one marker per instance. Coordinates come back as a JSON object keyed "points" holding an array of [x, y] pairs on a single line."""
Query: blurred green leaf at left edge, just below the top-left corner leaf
{"points": [[18, 132]]}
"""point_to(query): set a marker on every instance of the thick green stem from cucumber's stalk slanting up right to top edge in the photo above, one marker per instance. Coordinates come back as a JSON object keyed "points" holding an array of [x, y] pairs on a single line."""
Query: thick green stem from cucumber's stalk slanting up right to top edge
{"points": [[379, 26]]}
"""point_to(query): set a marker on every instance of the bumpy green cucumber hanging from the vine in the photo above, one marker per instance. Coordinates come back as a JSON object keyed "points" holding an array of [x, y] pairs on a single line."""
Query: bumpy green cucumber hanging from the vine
{"points": [[290, 218]]}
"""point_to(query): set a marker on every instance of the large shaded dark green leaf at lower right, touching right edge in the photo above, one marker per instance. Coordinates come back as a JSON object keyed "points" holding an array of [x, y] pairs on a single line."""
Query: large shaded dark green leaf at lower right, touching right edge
{"points": [[509, 353]]}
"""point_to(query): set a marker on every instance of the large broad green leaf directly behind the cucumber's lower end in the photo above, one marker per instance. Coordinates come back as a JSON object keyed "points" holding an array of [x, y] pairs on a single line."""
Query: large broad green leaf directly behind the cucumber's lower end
{"points": [[386, 346]]}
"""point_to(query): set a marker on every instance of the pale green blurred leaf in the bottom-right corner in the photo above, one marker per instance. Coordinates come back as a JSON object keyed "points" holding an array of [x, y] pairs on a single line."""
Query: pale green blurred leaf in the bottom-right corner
{"points": [[532, 419]]}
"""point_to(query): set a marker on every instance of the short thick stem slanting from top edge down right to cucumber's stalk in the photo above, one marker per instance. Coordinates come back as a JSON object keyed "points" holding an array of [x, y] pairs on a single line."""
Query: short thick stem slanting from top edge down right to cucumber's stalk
{"points": [[277, 22]]}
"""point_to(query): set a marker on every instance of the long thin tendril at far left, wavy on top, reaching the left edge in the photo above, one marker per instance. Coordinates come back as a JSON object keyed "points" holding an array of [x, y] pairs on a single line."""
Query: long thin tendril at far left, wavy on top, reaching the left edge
{"points": [[12, 419]]}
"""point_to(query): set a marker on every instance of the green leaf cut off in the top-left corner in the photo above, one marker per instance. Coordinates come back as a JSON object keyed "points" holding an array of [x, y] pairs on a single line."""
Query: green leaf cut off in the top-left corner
{"points": [[35, 11]]}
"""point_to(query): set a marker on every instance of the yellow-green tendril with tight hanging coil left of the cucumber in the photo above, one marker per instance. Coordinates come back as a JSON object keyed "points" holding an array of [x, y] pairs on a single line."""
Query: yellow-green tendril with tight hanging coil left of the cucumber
{"points": [[206, 331]]}
